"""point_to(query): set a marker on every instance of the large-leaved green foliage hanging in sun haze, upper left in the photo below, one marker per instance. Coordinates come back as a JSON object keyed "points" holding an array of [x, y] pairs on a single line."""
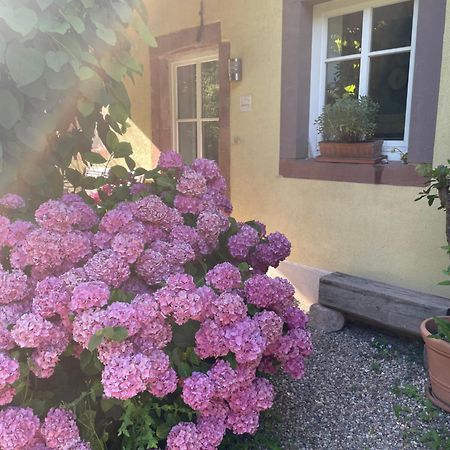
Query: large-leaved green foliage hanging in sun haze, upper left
{"points": [[61, 63]]}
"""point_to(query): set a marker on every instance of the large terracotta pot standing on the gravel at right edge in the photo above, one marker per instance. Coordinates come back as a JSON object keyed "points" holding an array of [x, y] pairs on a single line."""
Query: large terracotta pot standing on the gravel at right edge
{"points": [[438, 356]]}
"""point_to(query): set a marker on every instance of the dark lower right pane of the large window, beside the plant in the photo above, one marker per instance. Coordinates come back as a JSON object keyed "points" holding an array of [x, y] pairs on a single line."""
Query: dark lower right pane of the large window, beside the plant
{"points": [[389, 87]]}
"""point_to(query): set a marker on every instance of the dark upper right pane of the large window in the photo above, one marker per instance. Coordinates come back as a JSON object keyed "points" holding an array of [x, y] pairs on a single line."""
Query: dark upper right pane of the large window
{"points": [[392, 26]]}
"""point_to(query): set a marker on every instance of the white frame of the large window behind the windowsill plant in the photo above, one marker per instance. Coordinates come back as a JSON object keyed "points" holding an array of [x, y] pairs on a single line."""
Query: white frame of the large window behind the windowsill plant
{"points": [[321, 14]]}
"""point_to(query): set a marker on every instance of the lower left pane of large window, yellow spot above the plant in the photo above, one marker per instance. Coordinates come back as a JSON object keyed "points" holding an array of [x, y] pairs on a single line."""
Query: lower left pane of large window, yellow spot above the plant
{"points": [[342, 78]]}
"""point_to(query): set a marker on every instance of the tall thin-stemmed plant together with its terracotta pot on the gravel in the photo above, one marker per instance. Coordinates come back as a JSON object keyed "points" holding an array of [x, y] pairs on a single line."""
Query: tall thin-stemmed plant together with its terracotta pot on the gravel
{"points": [[435, 331]]}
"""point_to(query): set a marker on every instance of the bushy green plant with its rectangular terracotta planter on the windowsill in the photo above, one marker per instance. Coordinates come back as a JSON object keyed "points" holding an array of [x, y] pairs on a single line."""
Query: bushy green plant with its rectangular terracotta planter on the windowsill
{"points": [[347, 128]]}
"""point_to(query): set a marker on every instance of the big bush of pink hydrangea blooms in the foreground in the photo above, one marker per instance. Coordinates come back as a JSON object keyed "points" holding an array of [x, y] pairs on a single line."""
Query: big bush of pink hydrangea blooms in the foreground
{"points": [[144, 297]]}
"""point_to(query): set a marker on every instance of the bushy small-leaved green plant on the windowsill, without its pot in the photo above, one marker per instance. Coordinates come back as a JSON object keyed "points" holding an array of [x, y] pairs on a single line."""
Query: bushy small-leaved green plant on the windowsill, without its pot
{"points": [[349, 119]]}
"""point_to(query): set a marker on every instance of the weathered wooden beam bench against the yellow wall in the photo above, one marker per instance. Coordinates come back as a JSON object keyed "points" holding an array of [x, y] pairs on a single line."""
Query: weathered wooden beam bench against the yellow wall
{"points": [[380, 304]]}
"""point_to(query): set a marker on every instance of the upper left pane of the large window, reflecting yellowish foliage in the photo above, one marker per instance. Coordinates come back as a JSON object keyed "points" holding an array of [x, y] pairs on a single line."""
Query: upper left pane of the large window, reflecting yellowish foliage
{"points": [[344, 35]]}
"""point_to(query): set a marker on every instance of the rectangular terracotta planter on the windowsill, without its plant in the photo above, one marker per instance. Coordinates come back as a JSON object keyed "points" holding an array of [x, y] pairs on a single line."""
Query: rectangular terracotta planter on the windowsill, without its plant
{"points": [[367, 152]]}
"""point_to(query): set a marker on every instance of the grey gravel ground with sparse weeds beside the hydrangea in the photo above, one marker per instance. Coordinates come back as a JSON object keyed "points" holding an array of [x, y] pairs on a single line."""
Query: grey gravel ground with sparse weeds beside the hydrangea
{"points": [[363, 390]]}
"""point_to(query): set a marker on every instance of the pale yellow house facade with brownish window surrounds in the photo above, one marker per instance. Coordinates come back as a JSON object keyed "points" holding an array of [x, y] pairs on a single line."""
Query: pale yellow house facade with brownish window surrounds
{"points": [[359, 219]]}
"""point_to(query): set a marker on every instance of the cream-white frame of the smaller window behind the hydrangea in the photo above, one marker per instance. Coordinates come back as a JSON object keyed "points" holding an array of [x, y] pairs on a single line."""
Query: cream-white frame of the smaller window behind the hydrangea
{"points": [[195, 58]]}
